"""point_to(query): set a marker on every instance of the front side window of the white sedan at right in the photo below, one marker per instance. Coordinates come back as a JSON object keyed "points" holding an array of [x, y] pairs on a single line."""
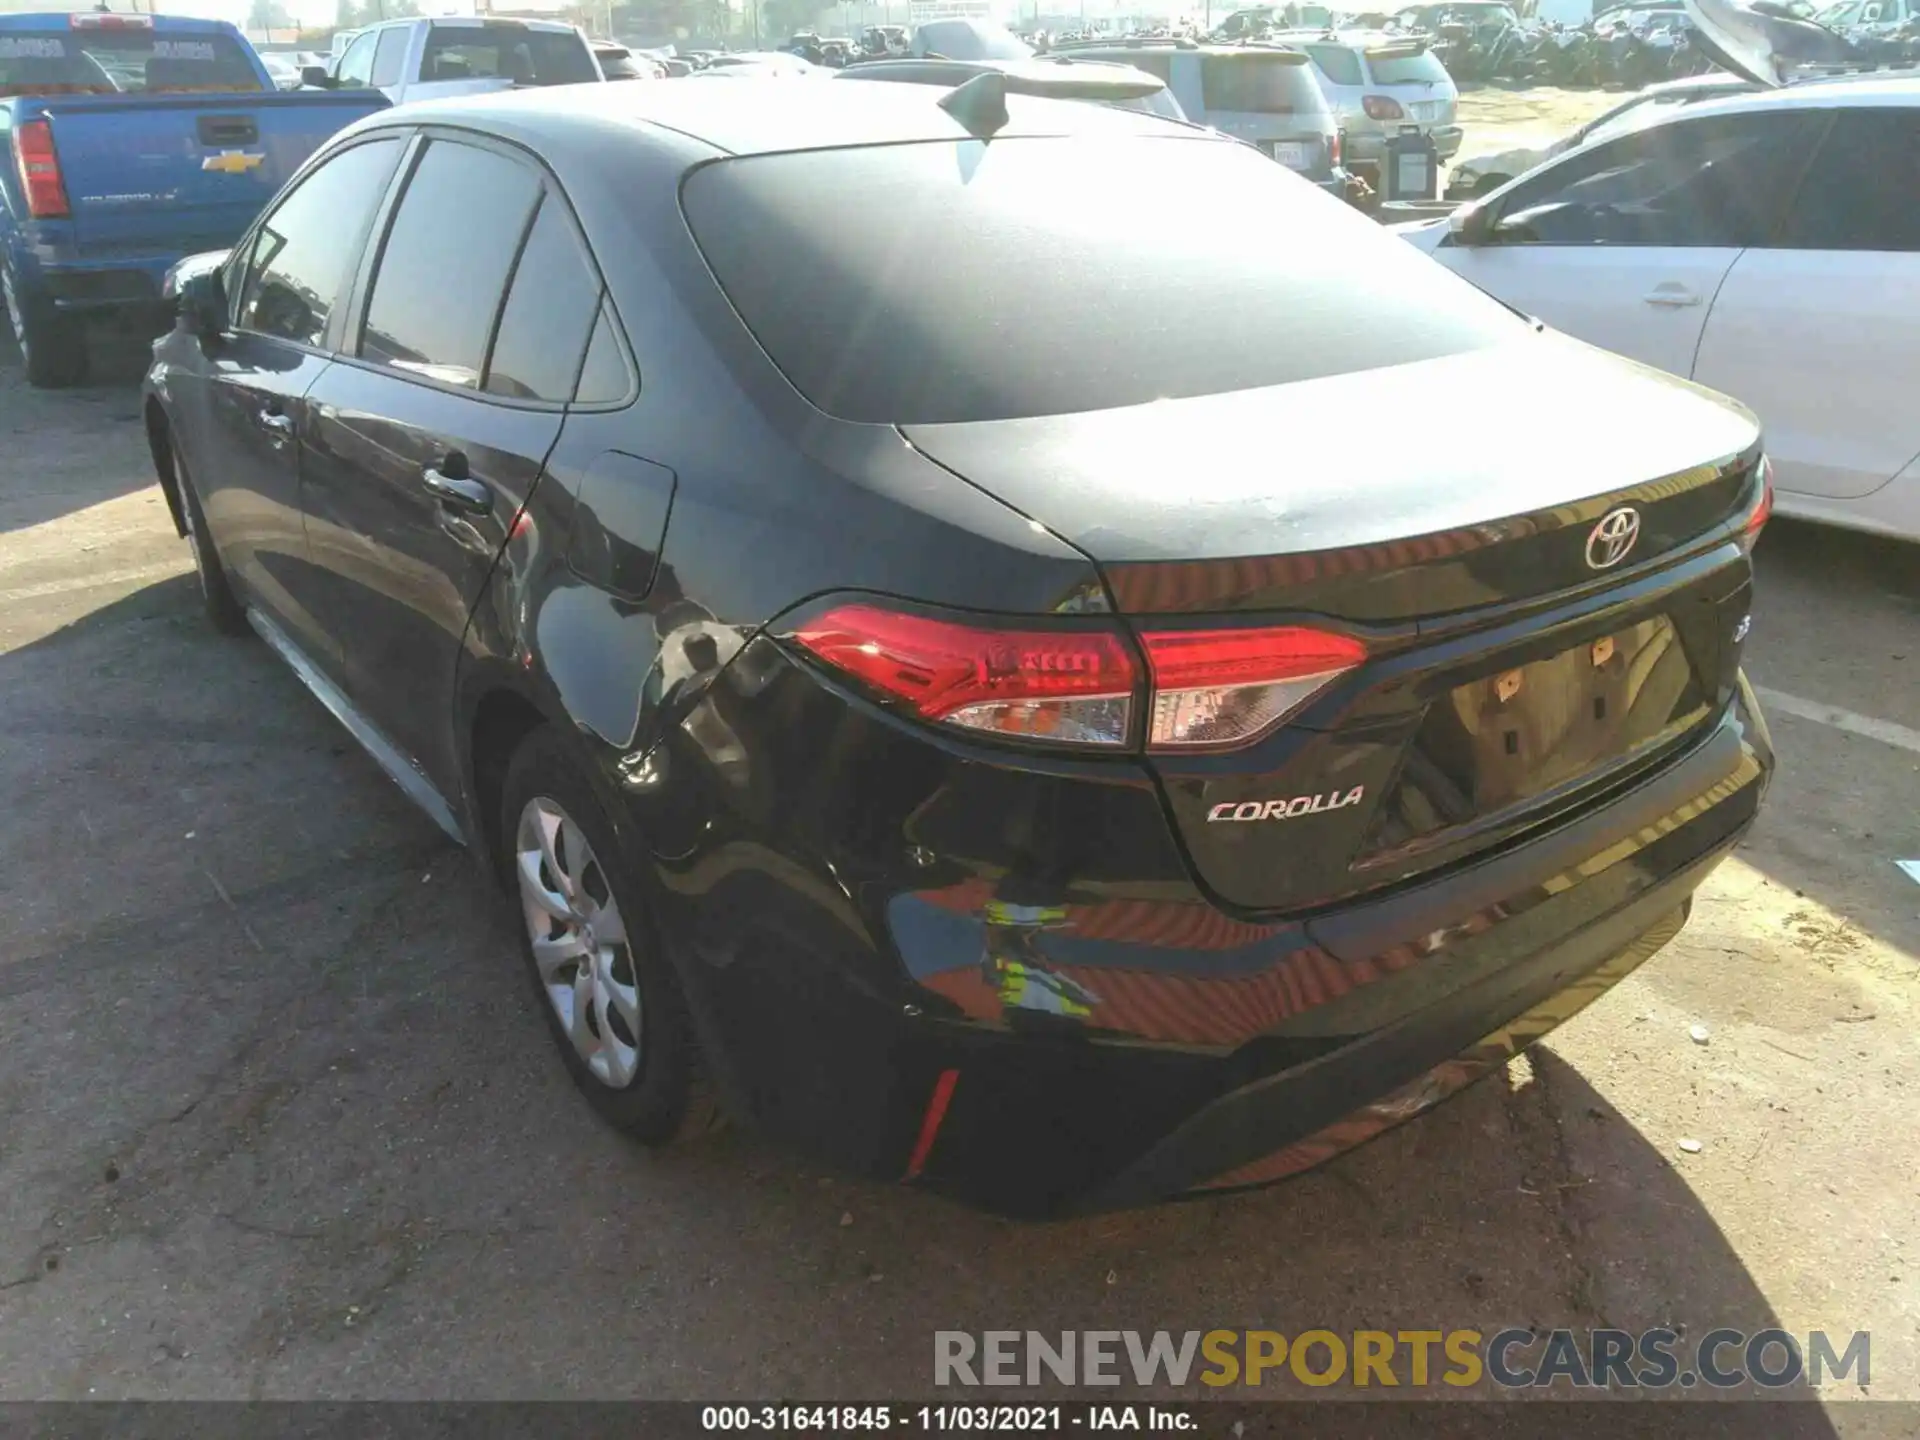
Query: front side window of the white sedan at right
{"points": [[1687, 183]]}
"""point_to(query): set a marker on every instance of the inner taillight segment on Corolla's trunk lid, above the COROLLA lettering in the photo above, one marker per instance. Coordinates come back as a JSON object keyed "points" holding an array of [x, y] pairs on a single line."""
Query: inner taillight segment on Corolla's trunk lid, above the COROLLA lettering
{"points": [[1224, 688]]}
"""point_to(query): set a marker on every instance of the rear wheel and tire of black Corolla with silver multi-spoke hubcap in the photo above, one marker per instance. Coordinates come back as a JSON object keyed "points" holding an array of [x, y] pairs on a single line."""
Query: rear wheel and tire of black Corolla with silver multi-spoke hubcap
{"points": [[612, 999]]}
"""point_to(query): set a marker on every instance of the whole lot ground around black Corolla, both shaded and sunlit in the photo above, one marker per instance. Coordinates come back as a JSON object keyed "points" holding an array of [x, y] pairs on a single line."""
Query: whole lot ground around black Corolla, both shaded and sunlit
{"points": [[281, 1118]]}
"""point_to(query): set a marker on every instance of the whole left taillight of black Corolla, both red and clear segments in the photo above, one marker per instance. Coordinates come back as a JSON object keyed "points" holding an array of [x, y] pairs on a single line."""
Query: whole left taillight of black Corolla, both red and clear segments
{"points": [[1076, 686]]}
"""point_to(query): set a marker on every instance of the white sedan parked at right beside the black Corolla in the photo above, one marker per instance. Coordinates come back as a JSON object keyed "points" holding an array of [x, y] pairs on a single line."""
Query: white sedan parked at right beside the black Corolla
{"points": [[1765, 247]]}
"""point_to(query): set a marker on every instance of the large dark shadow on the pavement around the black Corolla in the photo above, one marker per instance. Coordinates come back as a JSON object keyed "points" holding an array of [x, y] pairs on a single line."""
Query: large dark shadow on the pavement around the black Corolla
{"points": [[310, 1138]]}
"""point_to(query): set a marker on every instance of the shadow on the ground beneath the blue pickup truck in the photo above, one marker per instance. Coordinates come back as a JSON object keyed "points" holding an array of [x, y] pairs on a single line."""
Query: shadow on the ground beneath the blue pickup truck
{"points": [[110, 398]]}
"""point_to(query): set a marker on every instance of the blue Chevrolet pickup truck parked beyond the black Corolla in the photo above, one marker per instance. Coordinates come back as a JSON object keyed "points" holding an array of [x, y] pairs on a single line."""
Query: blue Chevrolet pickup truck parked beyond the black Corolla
{"points": [[133, 141]]}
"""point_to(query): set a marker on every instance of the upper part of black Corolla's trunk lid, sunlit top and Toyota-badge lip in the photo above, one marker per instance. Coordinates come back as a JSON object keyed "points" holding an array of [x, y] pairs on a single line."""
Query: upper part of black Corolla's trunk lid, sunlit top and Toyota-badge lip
{"points": [[1370, 496]]}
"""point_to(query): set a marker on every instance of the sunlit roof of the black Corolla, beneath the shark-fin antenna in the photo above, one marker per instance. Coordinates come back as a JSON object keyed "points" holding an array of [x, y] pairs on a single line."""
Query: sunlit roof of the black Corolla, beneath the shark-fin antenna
{"points": [[754, 116]]}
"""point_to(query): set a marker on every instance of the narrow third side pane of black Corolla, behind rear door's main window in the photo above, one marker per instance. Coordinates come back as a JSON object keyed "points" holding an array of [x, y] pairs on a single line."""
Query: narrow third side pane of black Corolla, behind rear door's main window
{"points": [[550, 312]]}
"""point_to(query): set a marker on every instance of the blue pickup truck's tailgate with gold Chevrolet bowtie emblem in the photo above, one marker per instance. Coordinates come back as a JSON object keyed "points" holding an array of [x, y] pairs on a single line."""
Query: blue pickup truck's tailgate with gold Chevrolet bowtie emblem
{"points": [[183, 174]]}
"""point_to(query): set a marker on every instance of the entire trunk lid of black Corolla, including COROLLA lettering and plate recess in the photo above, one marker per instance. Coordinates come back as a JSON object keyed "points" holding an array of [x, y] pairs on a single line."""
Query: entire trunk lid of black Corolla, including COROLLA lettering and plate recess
{"points": [[1510, 677]]}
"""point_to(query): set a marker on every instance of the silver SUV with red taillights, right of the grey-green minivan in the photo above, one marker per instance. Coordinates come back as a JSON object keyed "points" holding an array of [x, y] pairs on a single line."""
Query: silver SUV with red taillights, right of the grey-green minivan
{"points": [[1380, 85]]}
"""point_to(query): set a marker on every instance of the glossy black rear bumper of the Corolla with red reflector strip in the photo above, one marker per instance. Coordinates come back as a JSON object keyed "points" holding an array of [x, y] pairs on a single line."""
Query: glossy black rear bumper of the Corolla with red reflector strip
{"points": [[1045, 1059]]}
